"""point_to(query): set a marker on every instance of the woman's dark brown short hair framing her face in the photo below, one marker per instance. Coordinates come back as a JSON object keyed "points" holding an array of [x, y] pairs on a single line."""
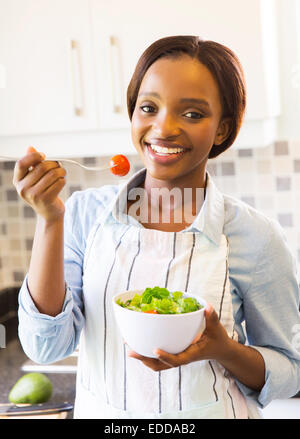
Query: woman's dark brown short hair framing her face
{"points": [[221, 61]]}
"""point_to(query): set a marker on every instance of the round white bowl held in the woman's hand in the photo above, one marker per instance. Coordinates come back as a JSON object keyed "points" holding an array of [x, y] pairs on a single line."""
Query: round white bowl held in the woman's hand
{"points": [[144, 332]]}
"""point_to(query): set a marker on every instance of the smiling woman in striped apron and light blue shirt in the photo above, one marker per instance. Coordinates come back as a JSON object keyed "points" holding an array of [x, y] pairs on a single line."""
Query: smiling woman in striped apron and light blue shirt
{"points": [[186, 102]]}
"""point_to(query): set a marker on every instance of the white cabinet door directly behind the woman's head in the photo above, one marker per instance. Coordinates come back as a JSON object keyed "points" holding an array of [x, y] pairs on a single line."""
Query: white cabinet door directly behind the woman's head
{"points": [[123, 30]]}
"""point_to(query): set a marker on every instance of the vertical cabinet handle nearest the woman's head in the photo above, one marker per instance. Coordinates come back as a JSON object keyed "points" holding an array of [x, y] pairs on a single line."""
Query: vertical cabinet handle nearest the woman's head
{"points": [[115, 74]]}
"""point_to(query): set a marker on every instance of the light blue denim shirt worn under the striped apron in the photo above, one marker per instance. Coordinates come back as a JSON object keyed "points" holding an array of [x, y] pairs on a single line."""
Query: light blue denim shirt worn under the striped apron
{"points": [[262, 274]]}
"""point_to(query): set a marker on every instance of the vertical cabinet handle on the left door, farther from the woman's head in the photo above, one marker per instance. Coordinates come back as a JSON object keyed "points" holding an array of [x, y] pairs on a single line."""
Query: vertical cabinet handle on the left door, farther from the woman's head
{"points": [[76, 78]]}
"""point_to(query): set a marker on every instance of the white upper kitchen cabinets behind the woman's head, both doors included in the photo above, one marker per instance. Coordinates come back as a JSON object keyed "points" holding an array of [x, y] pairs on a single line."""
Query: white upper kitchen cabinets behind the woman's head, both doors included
{"points": [[68, 64]]}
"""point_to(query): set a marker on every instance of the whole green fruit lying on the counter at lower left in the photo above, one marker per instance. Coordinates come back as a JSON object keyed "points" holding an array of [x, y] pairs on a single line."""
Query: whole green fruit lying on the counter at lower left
{"points": [[32, 388]]}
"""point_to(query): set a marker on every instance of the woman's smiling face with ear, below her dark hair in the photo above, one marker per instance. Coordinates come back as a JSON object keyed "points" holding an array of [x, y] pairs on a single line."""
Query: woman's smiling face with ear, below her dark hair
{"points": [[177, 118]]}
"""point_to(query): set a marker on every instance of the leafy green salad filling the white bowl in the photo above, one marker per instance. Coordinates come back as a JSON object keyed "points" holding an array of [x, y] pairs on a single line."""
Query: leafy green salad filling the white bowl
{"points": [[161, 301]]}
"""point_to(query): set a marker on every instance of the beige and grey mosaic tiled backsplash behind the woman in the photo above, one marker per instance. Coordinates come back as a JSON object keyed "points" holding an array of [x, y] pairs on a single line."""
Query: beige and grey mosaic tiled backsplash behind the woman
{"points": [[266, 178]]}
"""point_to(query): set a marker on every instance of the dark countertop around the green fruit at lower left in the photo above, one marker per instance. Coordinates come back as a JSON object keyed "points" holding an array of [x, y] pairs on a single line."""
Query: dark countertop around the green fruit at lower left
{"points": [[12, 357]]}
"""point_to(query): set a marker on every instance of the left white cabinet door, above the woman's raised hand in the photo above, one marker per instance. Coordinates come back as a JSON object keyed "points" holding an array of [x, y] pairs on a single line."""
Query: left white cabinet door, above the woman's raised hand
{"points": [[45, 56]]}
